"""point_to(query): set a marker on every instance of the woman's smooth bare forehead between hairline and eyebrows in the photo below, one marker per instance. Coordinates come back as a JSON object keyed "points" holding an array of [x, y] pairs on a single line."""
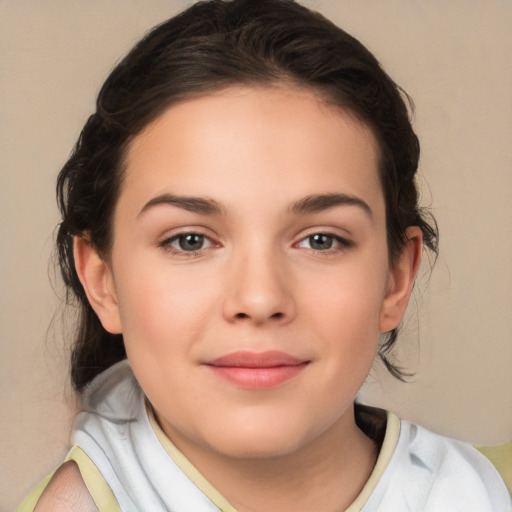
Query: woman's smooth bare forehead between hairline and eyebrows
{"points": [[241, 142]]}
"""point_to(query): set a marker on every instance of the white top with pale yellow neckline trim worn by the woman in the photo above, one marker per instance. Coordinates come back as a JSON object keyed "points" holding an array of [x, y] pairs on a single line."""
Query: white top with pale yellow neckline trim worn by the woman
{"points": [[417, 470]]}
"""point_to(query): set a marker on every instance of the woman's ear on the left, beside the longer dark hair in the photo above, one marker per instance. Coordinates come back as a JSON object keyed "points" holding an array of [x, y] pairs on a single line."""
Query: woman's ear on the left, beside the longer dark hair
{"points": [[97, 280]]}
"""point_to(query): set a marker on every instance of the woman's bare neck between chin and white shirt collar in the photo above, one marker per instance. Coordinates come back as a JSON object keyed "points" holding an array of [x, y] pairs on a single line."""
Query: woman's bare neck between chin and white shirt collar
{"points": [[326, 474]]}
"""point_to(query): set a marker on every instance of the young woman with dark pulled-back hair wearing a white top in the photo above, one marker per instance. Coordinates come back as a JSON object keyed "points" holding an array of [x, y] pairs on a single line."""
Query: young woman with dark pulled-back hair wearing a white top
{"points": [[242, 233]]}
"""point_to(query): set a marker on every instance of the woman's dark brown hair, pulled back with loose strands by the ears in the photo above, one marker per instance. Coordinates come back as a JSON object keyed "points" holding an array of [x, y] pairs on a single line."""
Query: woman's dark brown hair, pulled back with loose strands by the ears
{"points": [[210, 46]]}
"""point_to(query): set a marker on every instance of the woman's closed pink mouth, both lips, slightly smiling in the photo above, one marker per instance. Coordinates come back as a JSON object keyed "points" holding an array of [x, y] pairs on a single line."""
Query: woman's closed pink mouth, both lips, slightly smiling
{"points": [[257, 371]]}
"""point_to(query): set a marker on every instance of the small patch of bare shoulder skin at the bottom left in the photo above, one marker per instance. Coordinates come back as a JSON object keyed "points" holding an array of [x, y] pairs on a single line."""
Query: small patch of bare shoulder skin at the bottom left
{"points": [[66, 491]]}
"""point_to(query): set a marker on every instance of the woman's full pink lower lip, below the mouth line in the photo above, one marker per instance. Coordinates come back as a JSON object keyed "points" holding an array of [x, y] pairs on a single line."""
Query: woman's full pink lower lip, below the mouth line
{"points": [[258, 378]]}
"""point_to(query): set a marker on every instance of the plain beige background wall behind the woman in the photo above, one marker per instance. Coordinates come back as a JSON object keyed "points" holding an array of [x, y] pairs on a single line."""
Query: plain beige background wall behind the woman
{"points": [[455, 59]]}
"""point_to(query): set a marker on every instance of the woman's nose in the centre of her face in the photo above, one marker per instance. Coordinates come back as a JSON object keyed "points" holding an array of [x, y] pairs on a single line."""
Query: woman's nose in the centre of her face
{"points": [[259, 290]]}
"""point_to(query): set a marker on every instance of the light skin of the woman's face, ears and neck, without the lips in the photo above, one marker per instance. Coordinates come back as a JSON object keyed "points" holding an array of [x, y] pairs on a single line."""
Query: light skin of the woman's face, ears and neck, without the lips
{"points": [[257, 283]]}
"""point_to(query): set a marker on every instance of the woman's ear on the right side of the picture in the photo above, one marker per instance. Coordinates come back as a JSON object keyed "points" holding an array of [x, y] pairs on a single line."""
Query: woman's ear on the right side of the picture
{"points": [[401, 281]]}
